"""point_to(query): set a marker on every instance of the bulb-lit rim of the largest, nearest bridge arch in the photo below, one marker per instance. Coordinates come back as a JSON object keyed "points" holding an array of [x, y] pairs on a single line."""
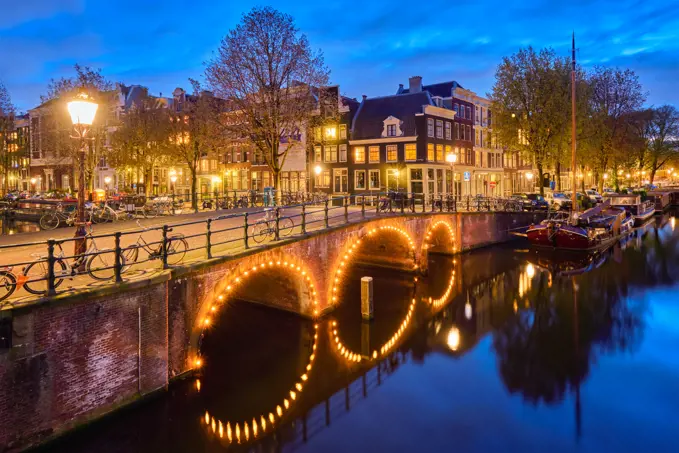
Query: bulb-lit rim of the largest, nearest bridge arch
{"points": [[235, 279]]}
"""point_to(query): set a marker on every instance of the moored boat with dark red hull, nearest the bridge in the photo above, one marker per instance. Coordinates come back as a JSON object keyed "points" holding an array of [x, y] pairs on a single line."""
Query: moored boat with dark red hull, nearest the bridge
{"points": [[594, 229]]}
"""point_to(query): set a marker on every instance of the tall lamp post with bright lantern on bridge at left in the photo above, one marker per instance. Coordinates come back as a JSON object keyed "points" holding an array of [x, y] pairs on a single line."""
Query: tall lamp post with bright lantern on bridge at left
{"points": [[82, 110]]}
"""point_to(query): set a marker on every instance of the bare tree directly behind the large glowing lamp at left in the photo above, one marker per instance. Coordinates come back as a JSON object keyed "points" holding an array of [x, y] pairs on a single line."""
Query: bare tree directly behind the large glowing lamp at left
{"points": [[59, 91]]}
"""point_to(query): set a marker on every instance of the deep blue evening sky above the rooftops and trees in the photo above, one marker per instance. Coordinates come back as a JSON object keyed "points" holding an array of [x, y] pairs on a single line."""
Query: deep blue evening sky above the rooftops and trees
{"points": [[370, 46]]}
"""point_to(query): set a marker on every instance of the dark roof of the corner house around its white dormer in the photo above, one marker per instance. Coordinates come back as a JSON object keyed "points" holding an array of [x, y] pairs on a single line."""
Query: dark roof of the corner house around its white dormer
{"points": [[368, 122]]}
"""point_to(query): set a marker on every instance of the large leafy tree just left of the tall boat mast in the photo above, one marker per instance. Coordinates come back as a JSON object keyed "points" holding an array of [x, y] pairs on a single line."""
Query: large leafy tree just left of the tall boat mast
{"points": [[530, 101]]}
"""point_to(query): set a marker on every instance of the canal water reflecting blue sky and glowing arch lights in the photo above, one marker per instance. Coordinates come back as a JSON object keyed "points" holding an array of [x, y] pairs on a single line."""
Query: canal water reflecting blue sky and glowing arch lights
{"points": [[499, 350]]}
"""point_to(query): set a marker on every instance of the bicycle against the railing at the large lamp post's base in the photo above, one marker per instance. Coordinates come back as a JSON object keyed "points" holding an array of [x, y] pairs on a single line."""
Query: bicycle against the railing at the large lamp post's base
{"points": [[95, 260]]}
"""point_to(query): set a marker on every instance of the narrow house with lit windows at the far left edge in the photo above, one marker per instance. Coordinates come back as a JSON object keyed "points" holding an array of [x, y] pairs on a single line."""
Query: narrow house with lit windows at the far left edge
{"points": [[16, 155]]}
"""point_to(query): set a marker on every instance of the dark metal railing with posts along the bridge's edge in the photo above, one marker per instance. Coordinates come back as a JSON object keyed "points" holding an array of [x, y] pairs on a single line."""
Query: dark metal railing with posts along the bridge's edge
{"points": [[39, 269]]}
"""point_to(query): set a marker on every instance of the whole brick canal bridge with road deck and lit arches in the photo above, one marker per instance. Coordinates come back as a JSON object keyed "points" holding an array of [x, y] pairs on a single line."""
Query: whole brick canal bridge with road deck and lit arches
{"points": [[74, 353]]}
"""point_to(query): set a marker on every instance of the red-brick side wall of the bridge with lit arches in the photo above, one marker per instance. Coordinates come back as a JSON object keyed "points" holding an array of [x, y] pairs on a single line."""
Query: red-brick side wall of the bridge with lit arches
{"points": [[78, 357]]}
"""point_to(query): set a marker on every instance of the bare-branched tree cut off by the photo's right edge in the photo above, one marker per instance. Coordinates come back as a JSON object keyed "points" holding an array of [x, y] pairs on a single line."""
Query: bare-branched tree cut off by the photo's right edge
{"points": [[663, 136]]}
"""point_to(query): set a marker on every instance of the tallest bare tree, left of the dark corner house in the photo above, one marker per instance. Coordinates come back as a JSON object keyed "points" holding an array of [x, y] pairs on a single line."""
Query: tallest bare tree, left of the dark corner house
{"points": [[267, 72]]}
